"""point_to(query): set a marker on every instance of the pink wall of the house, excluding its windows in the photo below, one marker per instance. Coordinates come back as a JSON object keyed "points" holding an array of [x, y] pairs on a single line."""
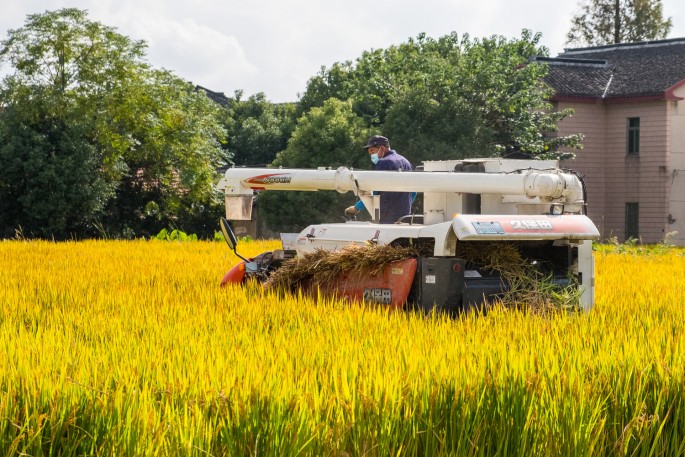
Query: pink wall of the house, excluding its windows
{"points": [[612, 176]]}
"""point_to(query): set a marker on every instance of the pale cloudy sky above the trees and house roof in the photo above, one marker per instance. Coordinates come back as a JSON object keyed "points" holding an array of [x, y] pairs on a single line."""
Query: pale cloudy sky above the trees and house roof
{"points": [[275, 46]]}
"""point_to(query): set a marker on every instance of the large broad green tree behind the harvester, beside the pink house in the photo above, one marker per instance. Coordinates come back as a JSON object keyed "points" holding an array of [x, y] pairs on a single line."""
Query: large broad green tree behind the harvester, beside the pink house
{"points": [[451, 97]]}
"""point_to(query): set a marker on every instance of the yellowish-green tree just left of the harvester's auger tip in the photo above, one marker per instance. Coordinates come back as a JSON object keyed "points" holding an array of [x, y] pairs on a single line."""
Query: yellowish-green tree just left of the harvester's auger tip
{"points": [[173, 135]]}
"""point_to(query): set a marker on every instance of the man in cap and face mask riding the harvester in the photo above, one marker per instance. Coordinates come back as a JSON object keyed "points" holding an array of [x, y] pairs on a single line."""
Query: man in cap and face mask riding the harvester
{"points": [[394, 205]]}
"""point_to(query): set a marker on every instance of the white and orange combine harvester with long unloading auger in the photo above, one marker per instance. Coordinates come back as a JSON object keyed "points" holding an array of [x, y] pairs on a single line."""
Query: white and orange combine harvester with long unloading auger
{"points": [[473, 211]]}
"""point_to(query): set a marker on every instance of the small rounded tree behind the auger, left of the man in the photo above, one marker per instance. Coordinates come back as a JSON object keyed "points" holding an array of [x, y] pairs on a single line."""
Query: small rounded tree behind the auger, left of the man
{"points": [[327, 136]]}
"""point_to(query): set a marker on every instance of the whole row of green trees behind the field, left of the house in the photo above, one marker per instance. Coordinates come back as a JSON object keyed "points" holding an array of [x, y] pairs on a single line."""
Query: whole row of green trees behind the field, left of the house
{"points": [[95, 142]]}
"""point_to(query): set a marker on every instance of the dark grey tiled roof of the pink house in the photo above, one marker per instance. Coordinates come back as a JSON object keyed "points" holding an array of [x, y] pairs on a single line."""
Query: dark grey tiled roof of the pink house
{"points": [[646, 70]]}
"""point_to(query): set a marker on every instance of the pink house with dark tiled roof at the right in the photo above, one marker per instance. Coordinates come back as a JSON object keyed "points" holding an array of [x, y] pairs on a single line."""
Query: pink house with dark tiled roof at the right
{"points": [[629, 102]]}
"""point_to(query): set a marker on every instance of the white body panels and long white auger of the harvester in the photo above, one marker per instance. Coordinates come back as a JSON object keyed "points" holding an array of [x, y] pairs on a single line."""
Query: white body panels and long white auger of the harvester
{"points": [[463, 200]]}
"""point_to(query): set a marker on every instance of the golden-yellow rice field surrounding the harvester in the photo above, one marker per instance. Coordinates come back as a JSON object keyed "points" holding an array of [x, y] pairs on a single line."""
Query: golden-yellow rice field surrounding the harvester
{"points": [[130, 348]]}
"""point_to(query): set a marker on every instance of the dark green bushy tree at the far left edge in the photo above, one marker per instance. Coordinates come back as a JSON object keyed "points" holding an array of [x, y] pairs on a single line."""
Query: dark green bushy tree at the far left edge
{"points": [[50, 180]]}
